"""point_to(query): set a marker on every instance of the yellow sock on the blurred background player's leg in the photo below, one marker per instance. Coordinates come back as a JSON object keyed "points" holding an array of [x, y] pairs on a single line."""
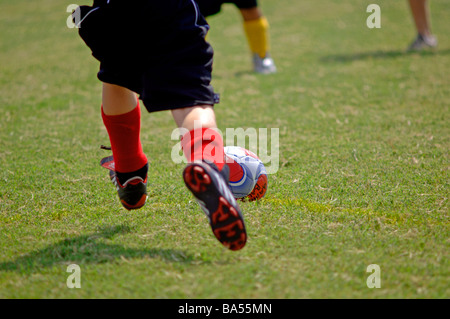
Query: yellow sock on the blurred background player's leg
{"points": [[257, 32]]}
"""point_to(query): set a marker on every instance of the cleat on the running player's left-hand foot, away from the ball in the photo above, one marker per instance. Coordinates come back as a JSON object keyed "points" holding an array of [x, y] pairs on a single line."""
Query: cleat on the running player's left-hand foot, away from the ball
{"points": [[132, 193]]}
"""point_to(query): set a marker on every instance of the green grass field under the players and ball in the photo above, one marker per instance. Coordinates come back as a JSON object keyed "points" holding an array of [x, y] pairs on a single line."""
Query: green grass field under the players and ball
{"points": [[363, 179]]}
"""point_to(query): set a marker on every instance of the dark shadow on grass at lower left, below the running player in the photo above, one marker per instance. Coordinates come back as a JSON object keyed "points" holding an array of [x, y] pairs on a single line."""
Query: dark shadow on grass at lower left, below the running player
{"points": [[87, 249]]}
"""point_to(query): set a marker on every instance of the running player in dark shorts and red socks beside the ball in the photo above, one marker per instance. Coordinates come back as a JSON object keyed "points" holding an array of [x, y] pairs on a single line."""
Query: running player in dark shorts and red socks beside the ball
{"points": [[155, 51]]}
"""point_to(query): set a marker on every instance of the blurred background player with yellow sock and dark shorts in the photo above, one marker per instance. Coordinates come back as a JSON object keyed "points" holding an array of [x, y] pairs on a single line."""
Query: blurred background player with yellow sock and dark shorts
{"points": [[256, 29]]}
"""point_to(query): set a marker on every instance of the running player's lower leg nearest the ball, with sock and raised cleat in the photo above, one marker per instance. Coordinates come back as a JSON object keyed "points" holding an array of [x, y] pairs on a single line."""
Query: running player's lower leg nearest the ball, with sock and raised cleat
{"points": [[206, 175]]}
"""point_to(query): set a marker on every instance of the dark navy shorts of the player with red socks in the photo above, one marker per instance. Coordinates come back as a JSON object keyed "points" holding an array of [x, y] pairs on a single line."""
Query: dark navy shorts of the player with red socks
{"points": [[154, 48]]}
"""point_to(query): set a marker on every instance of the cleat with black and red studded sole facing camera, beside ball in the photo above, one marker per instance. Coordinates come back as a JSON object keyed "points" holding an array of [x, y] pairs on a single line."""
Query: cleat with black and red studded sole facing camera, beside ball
{"points": [[211, 190]]}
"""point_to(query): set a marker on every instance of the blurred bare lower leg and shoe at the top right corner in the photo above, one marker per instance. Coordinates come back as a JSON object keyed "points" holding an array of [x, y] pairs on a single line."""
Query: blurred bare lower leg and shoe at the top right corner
{"points": [[421, 15]]}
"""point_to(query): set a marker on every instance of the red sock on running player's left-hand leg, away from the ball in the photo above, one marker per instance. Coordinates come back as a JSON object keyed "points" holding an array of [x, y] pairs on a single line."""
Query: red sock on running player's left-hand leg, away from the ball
{"points": [[124, 135]]}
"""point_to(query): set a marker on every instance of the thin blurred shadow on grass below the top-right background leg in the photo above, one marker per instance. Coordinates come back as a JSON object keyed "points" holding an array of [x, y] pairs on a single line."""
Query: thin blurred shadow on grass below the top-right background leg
{"points": [[379, 55]]}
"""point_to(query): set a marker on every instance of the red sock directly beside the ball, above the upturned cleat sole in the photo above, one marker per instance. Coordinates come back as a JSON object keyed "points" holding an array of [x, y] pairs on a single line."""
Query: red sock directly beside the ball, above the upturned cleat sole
{"points": [[203, 143]]}
